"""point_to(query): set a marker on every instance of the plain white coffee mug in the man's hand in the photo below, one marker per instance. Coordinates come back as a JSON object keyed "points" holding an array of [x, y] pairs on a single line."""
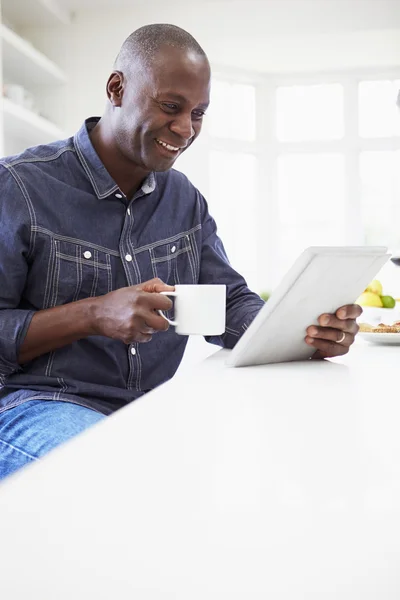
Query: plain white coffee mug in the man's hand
{"points": [[199, 309]]}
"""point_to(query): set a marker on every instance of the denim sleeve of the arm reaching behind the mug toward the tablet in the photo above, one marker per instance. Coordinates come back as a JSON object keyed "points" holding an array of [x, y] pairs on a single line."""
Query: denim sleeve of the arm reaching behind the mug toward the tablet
{"points": [[242, 305]]}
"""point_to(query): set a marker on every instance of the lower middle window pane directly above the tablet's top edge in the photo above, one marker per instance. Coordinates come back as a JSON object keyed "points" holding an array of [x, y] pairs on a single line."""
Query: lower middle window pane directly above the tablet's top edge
{"points": [[312, 196]]}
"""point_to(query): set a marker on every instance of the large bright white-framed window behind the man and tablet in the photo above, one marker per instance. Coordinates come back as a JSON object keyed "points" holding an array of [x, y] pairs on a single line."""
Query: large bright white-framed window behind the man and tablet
{"points": [[320, 164]]}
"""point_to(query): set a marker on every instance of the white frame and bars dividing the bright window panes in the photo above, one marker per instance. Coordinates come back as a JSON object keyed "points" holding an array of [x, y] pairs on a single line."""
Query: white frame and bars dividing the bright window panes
{"points": [[267, 149]]}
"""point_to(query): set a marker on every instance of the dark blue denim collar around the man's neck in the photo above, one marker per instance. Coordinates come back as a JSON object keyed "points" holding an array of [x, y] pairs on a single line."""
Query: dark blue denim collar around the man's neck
{"points": [[102, 182]]}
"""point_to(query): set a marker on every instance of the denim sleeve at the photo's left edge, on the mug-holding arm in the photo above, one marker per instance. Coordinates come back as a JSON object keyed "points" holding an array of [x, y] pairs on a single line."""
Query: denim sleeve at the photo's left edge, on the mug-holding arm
{"points": [[15, 244]]}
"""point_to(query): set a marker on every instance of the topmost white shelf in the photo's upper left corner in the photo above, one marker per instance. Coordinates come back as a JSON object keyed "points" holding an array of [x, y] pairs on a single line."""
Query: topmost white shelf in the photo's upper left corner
{"points": [[35, 13]]}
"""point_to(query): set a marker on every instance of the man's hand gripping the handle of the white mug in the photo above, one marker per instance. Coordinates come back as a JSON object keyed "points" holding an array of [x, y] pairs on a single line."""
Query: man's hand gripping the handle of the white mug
{"points": [[130, 314]]}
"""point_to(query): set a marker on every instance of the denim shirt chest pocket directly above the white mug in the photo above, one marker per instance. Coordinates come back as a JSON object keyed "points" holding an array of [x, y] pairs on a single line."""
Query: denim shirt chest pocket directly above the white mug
{"points": [[175, 262]]}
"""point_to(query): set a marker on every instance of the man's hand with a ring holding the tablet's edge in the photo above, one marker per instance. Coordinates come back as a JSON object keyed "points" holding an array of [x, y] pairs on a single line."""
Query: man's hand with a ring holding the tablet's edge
{"points": [[335, 333]]}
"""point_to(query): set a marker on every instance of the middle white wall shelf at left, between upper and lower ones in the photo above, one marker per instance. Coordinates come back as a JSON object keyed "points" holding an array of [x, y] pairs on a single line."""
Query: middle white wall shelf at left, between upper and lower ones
{"points": [[24, 64]]}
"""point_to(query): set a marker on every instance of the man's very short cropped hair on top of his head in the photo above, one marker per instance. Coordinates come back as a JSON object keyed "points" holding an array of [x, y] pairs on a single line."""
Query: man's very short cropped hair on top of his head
{"points": [[146, 42]]}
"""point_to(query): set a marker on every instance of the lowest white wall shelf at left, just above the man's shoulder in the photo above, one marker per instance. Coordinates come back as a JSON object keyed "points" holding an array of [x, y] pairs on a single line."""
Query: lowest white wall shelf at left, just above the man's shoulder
{"points": [[24, 125]]}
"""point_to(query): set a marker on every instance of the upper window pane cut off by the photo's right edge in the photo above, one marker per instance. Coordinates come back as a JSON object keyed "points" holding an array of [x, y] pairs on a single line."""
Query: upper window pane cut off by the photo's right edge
{"points": [[378, 113]]}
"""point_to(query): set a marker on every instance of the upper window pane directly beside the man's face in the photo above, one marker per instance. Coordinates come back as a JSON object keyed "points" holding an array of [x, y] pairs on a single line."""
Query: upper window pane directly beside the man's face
{"points": [[232, 112]]}
